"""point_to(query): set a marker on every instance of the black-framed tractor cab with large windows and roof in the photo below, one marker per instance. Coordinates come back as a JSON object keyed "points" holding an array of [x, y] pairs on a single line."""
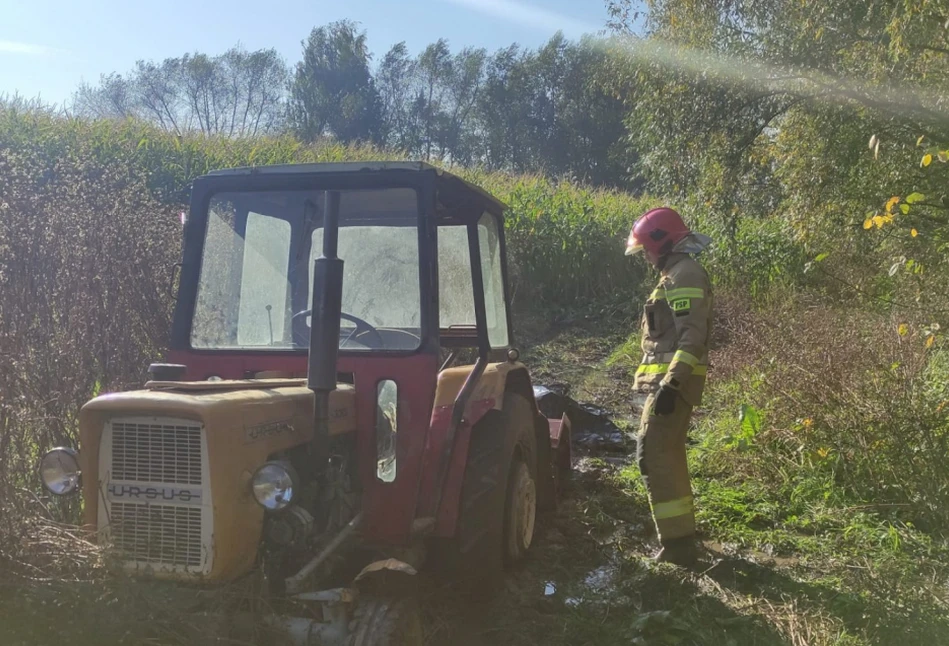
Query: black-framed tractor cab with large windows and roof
{"points": [[423, 265]]}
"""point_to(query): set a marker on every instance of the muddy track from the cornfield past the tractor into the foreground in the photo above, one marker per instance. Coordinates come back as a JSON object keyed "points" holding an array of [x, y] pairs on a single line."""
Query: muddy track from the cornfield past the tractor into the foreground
{"points": [[589, 578]]}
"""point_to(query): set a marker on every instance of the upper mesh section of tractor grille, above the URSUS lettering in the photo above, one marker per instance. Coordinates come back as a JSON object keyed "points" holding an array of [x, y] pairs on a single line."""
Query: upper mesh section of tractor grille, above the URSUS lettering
{"points": [[156, 452]]}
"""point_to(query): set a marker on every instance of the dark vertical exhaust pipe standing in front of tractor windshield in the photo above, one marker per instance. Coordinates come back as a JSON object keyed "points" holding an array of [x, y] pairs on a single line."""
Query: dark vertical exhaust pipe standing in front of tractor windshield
{"points": [[324, 329]]}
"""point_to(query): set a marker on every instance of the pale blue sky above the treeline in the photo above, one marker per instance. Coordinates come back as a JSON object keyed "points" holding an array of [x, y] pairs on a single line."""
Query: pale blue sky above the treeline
{"points": [[48, 46]]}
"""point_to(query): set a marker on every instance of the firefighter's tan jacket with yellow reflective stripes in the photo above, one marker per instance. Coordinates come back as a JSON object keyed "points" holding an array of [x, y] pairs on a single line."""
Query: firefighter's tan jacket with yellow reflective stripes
{"points": [[676, 329]]}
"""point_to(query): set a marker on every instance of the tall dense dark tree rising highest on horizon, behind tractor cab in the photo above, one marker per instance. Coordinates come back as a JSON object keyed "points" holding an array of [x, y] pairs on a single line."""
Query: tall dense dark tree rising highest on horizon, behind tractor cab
{"points": [[332, 92]]}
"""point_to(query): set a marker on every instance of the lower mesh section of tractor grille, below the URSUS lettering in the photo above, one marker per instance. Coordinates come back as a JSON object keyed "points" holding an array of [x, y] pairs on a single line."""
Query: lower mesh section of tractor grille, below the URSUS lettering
{"points": [[157, 534]]}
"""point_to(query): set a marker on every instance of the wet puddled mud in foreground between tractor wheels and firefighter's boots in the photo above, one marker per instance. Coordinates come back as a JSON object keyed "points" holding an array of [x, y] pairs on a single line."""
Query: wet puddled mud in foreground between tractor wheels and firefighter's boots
{"points": [[589, 580]]}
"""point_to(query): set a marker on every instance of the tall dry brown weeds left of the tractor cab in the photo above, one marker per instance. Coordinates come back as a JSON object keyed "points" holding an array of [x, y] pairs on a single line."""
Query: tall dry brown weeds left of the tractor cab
{"points": [[84, 273]]}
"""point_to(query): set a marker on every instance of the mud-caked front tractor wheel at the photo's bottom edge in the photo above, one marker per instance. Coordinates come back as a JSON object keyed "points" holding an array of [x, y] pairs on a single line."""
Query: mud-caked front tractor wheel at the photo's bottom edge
{"points": [[384, 621]]}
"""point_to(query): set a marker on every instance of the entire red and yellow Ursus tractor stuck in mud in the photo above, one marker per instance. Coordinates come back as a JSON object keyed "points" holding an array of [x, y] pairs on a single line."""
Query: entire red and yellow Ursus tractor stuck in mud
{"points": [[315, 435]]}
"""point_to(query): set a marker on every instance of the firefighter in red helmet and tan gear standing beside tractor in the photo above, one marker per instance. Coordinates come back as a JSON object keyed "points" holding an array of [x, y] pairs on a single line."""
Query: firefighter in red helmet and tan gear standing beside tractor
{"points": [[676, 326]]}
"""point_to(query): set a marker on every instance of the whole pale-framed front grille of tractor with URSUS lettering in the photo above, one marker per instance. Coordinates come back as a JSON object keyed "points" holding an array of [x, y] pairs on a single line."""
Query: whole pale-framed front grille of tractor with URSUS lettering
{"points": [[149, 461]]}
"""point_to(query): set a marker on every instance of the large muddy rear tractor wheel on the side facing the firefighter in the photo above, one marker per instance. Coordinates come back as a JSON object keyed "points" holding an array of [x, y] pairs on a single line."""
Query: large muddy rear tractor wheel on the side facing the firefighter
{"points": [[498, 498]]}
